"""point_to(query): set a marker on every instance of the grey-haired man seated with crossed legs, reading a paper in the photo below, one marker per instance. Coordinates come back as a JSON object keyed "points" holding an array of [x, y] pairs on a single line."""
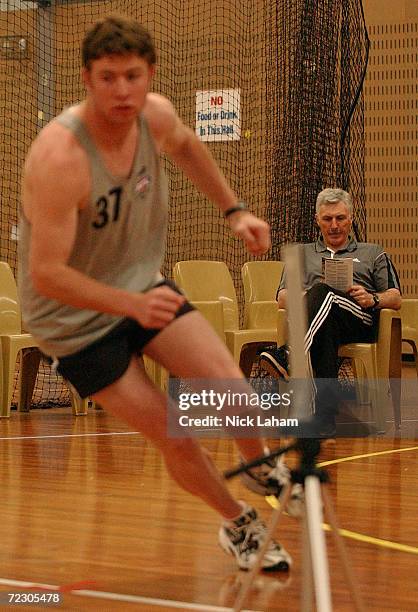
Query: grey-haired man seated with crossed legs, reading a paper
{"points": [[334, 317]]}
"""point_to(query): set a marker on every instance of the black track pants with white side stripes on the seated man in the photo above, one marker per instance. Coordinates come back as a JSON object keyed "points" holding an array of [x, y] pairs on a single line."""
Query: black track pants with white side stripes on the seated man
{"points": [[333, 319]]}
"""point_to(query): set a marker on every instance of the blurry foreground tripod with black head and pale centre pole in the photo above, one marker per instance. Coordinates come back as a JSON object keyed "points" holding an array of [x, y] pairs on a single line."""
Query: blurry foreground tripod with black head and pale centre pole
{"points": [[315, 560]]}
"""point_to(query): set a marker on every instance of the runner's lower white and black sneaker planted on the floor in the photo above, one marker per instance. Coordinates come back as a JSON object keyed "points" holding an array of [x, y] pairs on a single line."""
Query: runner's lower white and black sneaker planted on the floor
{"points": [[243, 538]]}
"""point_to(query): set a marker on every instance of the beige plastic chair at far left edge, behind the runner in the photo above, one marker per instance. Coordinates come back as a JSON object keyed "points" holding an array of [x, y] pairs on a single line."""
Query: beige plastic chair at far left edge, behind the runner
{"points": [[13, 342]]}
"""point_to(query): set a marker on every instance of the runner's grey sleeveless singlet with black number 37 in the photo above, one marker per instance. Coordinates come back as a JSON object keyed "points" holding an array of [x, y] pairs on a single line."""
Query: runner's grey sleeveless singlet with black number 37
{"points": [[120, 241]]}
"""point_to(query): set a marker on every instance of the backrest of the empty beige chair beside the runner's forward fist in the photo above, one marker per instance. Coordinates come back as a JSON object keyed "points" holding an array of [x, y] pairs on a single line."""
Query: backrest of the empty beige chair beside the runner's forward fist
{"points": [[203, 280]]}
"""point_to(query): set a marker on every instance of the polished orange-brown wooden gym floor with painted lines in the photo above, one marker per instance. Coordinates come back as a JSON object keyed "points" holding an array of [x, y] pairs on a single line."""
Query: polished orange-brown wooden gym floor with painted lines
{"points": [[87, 508]]}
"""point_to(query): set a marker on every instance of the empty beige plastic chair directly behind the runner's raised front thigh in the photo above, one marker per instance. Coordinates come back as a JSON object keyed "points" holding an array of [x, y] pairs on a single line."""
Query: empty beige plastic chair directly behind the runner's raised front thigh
{"points": [[210, 281]]}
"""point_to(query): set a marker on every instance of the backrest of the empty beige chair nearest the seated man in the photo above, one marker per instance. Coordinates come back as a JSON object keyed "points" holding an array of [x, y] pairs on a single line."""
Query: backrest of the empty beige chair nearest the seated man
{"points": [[261, 280]]}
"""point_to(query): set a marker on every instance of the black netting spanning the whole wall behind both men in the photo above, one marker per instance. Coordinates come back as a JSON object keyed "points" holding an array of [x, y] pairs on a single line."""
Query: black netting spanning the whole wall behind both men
{"points": [[297, 63]]}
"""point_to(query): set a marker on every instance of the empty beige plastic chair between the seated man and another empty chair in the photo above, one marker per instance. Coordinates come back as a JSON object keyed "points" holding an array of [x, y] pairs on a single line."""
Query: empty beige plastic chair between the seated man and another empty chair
{"points": [[261, 280]]}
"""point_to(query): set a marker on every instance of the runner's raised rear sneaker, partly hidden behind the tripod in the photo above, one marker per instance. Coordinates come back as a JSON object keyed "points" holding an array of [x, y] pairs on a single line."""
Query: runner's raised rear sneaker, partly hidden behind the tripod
{"points": [[269, 479]]}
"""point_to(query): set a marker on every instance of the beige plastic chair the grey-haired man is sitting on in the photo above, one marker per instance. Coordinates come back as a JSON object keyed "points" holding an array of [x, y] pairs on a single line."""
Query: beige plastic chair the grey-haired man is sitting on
{"points": [[381, 364]]}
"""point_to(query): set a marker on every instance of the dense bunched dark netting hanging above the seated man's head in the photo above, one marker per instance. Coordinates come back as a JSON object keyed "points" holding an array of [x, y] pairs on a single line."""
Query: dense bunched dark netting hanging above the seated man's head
{"points": [[320, 139]]}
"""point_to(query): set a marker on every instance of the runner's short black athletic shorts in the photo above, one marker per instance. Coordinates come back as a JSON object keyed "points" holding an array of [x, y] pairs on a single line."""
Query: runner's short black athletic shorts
{"points": [[102, 362]]}
